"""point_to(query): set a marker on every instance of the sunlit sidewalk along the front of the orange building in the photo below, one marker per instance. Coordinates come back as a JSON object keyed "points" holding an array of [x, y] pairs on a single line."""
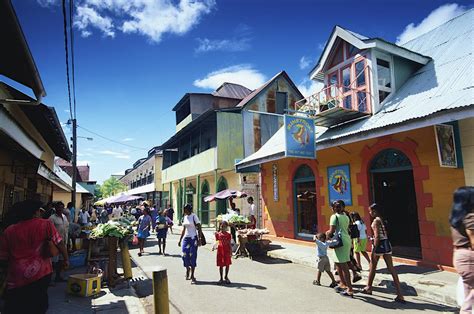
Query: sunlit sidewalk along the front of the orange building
{"points": [[435, 285]]}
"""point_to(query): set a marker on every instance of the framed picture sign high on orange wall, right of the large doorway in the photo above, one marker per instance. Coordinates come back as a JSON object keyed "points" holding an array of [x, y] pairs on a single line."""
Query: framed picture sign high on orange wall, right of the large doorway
{"points": [[446, 145]]}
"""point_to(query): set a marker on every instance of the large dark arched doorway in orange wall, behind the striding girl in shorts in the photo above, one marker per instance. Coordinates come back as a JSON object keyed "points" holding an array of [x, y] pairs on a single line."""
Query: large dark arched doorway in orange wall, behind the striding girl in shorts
{"points": [[393, 188]]}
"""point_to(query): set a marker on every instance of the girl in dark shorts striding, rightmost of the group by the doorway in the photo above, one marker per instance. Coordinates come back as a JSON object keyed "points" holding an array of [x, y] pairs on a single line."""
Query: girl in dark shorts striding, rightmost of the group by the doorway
{"points": [[381, 247]]}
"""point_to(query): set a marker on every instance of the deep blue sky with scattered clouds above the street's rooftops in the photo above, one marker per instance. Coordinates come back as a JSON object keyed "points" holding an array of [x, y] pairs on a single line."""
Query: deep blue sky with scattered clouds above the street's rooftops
{"points": [[136, 58]]}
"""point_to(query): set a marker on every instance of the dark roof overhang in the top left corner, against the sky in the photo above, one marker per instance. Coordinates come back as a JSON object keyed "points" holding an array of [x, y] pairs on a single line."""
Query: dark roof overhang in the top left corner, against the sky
{"points": [[17, 61]]}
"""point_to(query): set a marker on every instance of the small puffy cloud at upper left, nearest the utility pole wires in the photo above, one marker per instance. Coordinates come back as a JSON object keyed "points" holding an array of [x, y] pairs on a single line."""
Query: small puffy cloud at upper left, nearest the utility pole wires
{"points": [[87, 16]]}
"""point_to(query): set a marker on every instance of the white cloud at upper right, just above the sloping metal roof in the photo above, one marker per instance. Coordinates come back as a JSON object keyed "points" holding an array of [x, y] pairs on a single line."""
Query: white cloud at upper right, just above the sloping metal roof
{"points": [[437, 17]]}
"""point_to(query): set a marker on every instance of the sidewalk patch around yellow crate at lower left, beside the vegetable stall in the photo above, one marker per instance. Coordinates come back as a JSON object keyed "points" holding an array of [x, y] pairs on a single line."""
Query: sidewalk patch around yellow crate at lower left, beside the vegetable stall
{"points": [[121, 299]]}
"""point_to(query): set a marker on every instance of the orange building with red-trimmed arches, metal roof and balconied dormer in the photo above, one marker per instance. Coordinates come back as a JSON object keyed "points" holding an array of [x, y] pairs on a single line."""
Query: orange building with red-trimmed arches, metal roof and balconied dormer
{"points": [[398, 131]]}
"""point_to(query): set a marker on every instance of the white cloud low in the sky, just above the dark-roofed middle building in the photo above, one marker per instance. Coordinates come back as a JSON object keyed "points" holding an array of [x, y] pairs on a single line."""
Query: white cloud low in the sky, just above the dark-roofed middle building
{"points": [[242, 74]]}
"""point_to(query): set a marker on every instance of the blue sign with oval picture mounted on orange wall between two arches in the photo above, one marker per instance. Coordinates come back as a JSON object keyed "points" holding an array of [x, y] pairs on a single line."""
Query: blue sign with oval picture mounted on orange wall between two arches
{"points": [[339, 178]]}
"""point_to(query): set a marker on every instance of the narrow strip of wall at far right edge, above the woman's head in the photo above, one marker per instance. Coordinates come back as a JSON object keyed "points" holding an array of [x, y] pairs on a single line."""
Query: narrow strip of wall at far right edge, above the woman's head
{"points": [[466, 130]]}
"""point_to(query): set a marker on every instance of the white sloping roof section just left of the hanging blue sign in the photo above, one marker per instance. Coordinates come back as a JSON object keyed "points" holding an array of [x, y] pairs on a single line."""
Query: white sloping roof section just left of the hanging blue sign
{"points": [[272, 150]]}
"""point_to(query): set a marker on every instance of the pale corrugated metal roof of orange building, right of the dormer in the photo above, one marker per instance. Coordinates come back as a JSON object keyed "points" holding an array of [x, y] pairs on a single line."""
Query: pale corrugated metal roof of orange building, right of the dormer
{"points": [[444, 83]]}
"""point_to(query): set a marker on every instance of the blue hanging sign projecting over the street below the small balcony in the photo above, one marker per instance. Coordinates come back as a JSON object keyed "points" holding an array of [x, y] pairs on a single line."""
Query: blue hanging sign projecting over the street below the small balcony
{"points": [[299, 137]]}
